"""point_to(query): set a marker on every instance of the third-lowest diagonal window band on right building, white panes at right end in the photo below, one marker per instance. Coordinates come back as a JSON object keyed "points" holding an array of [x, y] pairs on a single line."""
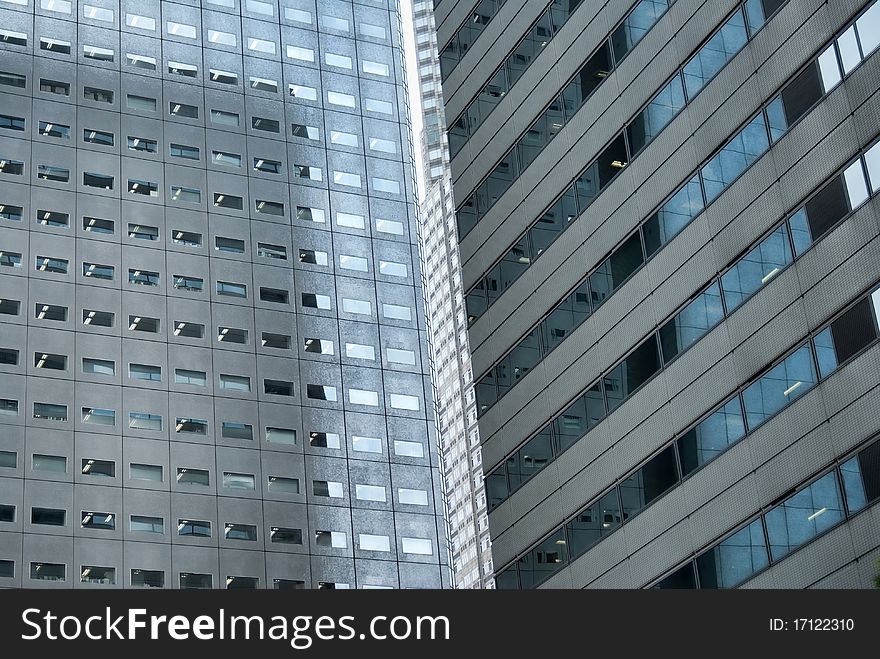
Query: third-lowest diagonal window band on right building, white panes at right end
{"points": [[724, 294]]}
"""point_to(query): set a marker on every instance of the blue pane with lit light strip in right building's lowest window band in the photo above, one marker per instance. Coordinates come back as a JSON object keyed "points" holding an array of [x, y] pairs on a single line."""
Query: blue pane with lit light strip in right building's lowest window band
{"points": [[804, 516]]}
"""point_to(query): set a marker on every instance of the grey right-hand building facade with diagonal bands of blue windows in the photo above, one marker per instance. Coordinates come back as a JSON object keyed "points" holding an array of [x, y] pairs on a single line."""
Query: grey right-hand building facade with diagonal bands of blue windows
{"points": [[668, 224]]}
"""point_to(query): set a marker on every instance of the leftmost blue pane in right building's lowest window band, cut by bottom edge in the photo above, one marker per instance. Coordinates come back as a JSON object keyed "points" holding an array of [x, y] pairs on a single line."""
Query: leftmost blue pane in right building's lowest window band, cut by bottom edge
{"points": [[735, 559]]}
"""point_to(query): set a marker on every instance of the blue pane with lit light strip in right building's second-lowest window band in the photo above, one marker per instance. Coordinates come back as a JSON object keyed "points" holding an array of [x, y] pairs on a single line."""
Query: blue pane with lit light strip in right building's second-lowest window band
{"points": [[781, 385]]}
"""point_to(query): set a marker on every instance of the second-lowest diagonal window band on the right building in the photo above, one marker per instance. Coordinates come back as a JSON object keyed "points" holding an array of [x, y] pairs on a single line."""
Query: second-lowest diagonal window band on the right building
{"points": [[772, 391]]}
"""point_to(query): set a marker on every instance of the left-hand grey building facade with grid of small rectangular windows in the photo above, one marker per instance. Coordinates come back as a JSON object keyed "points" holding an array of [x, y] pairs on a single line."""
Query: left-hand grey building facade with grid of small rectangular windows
{"points": [[212, 341]]}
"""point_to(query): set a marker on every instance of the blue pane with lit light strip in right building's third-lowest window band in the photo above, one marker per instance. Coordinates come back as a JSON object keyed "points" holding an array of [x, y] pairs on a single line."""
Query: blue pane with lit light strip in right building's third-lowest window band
{"points": [[756, 268]]}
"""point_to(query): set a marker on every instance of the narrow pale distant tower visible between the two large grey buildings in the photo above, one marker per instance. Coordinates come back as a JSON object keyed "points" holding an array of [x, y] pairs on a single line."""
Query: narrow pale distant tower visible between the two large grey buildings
{"points": [[467, 514]]}
